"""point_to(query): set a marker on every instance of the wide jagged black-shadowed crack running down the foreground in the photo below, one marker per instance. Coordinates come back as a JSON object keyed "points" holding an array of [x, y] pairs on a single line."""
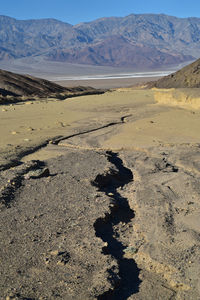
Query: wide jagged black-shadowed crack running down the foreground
{"points": [[104, 227]]}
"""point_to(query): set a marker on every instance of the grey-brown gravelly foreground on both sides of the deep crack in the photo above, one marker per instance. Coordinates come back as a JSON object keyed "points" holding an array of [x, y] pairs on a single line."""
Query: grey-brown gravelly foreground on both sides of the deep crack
{"points": [[102, 225]]}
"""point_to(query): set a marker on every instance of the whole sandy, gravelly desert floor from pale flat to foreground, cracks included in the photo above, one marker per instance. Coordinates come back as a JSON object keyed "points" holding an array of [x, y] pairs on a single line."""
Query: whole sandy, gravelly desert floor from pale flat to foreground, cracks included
{"points": [[100, 198]]}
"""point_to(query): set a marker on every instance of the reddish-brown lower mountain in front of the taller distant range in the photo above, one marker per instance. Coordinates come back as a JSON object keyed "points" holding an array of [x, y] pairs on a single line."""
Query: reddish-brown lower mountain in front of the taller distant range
{"points": [[118, 51]]}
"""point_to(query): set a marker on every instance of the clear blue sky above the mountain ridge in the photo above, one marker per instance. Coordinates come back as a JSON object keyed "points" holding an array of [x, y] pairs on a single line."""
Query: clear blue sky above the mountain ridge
{"points": [[76, 11]]}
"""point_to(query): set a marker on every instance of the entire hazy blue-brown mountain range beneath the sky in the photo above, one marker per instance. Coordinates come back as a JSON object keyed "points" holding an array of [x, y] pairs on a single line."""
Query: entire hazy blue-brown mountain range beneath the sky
{"points": [[146, 41]]}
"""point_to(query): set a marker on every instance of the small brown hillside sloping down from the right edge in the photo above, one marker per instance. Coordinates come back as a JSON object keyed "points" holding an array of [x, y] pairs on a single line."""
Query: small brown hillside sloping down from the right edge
{"points": [[187, 77]]}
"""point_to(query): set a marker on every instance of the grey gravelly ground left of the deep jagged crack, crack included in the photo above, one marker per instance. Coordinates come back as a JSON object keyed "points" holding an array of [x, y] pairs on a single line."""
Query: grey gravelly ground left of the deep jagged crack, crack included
{"points": [[52, 239]]}
